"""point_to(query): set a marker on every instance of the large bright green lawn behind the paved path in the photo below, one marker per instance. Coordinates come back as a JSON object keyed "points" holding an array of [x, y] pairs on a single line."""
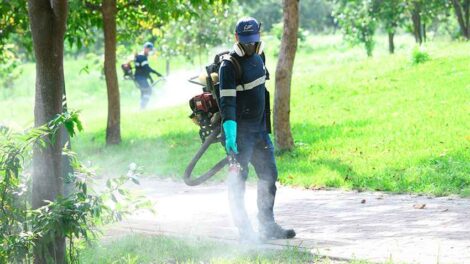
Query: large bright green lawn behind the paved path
{"points": [[380, 123]]}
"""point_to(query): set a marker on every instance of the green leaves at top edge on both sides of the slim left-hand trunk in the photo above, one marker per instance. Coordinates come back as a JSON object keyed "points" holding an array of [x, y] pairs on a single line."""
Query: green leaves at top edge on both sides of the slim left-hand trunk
{"points": [[133, 17]]}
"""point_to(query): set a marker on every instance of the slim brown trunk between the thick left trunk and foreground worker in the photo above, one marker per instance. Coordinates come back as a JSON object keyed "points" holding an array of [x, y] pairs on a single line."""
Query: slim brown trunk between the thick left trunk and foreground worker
{"points": [[113, 129]]}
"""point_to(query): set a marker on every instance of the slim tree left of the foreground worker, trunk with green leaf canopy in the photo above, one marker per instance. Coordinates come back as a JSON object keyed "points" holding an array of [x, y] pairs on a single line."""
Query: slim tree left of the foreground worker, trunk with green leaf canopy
{"points": [[122, 19]]}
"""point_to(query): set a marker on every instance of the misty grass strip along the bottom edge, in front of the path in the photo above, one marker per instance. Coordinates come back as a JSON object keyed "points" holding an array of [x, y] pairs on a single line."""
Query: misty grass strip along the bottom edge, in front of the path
{"points": [[159, 249]]}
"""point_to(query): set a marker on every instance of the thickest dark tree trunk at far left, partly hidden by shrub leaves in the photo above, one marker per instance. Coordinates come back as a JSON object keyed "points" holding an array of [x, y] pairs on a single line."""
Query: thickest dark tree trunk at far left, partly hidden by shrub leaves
{"points": [[48, 23]]}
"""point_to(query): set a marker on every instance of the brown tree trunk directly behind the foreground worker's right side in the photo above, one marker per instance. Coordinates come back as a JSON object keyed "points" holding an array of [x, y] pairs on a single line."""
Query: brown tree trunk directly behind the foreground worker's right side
{"points": [[285, 64]]}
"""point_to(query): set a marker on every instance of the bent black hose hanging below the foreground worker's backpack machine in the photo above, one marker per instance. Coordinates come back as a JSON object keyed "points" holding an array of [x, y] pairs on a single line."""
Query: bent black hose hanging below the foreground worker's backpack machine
{"points": [[212, 138]]}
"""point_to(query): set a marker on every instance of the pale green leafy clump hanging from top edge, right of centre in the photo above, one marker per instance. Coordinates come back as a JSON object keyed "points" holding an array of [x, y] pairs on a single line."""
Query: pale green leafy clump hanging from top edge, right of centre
{"points": [[357, 22]]}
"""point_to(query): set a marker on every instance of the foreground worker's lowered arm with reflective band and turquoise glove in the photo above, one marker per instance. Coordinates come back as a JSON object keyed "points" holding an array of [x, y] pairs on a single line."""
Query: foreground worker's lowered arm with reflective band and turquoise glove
{"points": [[228, 105]]}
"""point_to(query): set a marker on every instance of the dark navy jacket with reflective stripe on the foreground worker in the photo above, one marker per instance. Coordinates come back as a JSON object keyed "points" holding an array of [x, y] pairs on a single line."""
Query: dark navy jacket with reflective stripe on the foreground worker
{"points": [[244, 103]]}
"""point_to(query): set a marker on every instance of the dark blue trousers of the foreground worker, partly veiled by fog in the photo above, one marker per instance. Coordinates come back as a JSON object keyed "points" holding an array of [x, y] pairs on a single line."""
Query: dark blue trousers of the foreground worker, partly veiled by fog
{"points": [[257, 149]]}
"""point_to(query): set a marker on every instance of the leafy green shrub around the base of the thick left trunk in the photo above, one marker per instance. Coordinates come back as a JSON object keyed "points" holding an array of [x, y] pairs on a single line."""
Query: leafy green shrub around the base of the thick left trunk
{"points": [[74, 216]]}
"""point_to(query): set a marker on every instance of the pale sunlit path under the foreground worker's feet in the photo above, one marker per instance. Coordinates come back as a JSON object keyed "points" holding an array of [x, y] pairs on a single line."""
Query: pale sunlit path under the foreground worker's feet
{"points": [[346, 225]]}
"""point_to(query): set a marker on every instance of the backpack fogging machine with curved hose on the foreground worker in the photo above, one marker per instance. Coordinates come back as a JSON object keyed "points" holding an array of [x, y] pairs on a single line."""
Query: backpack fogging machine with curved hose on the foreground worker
{"points": [[206, 114]]}
